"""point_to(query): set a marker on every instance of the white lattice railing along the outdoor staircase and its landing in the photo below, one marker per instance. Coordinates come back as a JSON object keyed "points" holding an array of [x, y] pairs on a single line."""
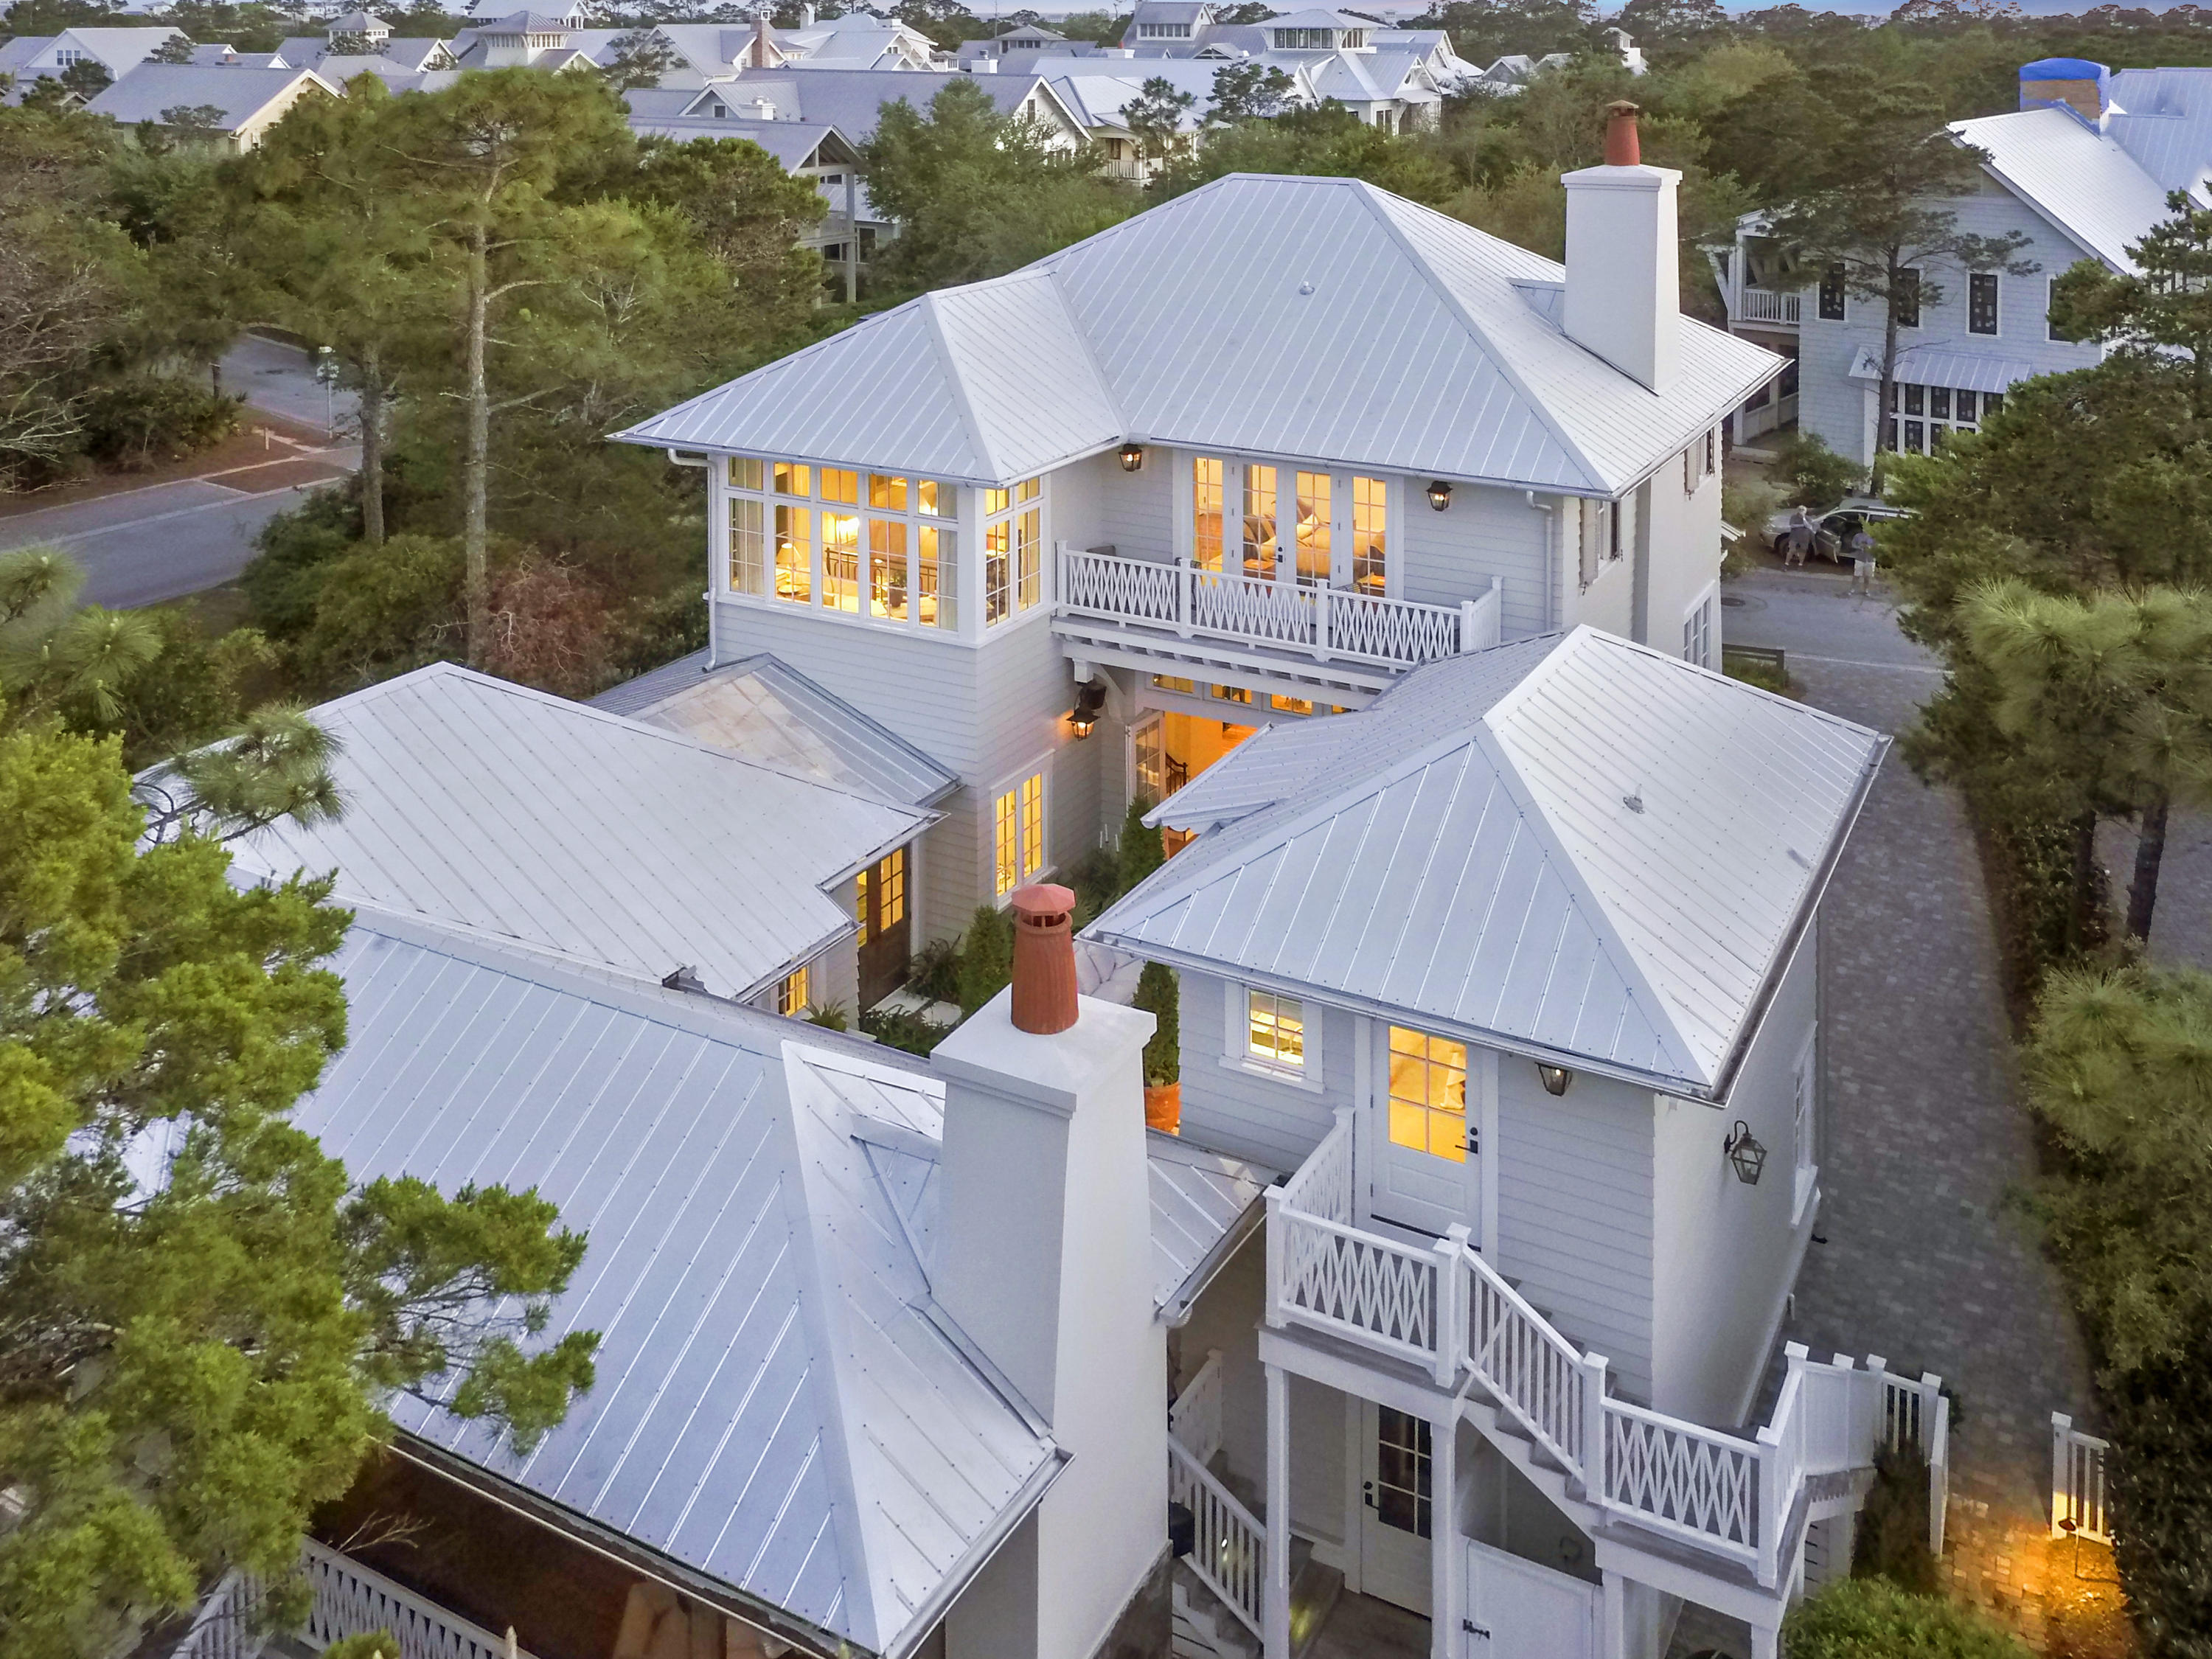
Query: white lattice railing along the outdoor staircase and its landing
{"points": [[1448, 1311]]}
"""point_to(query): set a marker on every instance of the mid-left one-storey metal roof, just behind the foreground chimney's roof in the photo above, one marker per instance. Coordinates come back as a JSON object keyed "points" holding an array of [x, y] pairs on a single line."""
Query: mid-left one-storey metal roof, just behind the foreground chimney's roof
{"points": [[578, 833]]}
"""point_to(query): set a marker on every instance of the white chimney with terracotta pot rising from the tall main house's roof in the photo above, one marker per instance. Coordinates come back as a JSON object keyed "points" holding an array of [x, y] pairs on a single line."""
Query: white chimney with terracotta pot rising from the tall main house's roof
{"points": [[1623, 258]]}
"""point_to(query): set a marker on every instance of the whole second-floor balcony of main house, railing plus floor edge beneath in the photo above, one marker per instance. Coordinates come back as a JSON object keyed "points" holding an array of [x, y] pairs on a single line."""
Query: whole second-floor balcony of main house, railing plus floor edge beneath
{"points": [[1169, 612]]}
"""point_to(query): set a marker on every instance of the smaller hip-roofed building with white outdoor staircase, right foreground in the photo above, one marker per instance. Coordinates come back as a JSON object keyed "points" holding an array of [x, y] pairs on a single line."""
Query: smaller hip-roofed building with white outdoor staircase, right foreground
{"points": [[1507, 968]]}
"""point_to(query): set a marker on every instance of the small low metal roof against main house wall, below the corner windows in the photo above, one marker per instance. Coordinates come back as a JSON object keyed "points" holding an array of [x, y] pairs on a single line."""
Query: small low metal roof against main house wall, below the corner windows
{"points": [[771, 713]]}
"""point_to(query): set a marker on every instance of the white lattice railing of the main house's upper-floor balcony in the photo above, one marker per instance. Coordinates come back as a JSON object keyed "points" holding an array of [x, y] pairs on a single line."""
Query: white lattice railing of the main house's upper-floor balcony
{"points": [[1315, 620]]}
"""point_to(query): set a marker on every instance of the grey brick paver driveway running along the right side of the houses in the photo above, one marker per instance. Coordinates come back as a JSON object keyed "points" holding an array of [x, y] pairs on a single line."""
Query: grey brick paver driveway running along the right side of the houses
{"points": [[1926, 1140]]}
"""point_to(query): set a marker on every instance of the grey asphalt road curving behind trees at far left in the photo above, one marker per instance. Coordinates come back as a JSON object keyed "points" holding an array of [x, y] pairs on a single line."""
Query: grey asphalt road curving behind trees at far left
{"points": [[194, 534]]}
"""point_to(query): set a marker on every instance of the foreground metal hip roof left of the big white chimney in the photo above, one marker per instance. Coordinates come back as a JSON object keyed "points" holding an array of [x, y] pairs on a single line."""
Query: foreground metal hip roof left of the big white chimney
{"points": [[778, 1406]]}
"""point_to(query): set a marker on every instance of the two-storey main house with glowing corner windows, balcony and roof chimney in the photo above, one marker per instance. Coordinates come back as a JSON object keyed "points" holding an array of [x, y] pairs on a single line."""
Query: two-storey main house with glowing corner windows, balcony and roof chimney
{"points": [[1238, 461]]}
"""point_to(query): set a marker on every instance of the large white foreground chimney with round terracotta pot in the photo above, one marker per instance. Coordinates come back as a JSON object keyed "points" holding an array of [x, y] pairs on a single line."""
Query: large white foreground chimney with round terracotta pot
{"points": [[1045, 1260]]}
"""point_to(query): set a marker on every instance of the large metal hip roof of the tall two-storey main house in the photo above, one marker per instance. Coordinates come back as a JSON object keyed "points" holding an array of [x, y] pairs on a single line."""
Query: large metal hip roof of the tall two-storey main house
{"points": [[1258, 315]]}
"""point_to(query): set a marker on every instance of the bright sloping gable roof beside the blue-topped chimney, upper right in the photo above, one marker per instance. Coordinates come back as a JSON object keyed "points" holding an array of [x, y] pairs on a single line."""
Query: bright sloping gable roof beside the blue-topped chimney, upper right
{"points": [[2074, 176]]}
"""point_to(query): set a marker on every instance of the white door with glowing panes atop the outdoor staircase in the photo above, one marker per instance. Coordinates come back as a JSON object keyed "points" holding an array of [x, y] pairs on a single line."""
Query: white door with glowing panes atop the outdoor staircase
{"points": [[1426, 1131]]}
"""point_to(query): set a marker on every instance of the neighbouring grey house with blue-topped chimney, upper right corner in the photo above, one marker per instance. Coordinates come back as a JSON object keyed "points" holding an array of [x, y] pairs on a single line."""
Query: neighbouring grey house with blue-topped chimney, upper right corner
{"points": [[2083, 171]]}
